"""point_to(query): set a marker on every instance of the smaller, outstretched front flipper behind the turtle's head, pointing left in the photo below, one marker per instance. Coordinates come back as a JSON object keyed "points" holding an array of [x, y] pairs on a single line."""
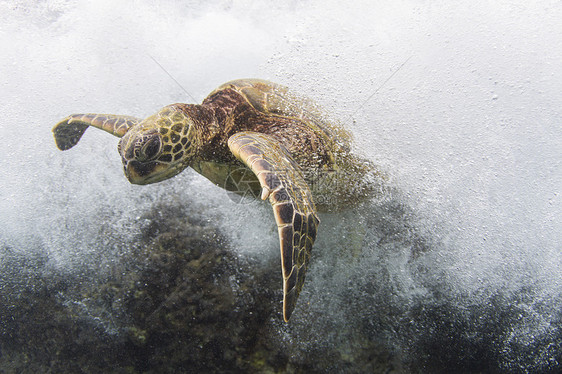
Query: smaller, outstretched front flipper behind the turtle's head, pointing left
{"points": [[69, 131]]}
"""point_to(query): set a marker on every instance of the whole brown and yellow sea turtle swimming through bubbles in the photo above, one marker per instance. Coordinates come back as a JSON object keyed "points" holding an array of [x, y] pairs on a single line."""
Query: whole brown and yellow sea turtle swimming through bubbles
{"points": [[248, 136]]}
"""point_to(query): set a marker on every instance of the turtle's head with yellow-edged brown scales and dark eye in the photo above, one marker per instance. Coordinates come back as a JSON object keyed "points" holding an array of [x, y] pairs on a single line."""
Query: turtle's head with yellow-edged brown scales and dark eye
{"points": [[159, 147]]}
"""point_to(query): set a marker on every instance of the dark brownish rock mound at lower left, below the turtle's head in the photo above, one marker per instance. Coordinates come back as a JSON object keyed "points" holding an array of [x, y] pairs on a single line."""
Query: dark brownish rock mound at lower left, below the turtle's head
{"points": [[182, 302]]}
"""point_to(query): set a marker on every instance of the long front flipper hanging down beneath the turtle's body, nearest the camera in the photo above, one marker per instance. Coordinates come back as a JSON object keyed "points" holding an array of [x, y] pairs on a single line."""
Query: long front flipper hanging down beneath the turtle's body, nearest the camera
{"points": [[281, 180]]}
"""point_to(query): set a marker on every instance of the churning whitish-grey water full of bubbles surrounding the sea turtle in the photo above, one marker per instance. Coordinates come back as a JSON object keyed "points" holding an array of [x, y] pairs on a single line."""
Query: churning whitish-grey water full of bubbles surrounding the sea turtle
{"points": [[459, 103]]}
